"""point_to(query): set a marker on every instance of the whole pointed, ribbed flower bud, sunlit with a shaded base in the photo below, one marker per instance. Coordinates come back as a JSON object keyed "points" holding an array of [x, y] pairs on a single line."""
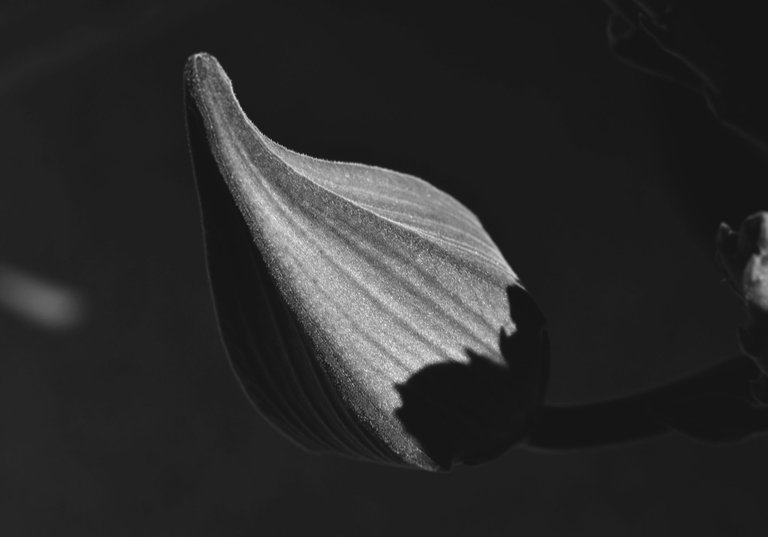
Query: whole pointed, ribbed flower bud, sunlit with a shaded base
{"points": [[365, 312]]}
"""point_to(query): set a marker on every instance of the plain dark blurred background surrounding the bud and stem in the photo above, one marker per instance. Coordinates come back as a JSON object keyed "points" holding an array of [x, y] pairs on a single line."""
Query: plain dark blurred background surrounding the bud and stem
{"points": [[119, 414]]}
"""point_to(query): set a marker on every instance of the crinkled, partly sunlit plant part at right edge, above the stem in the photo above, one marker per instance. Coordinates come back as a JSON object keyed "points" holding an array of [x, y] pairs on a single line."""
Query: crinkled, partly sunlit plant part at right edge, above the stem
{"points": [[743, 254]]}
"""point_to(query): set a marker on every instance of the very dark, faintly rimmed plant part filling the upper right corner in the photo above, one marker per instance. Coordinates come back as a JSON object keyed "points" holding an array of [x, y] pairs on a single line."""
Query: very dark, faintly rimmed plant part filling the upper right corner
{"points": [[716, 48]]}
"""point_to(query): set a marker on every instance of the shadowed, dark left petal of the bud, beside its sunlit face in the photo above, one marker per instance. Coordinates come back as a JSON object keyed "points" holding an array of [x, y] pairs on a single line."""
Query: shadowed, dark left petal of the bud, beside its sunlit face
{"points": [[268, 351]]}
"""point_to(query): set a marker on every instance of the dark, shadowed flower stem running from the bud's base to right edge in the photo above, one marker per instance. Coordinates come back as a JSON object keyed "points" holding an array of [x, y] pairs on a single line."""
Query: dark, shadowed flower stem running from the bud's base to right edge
{"points": [[714, 405]]}
